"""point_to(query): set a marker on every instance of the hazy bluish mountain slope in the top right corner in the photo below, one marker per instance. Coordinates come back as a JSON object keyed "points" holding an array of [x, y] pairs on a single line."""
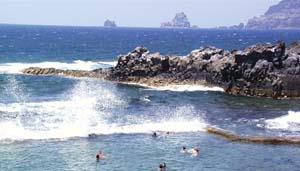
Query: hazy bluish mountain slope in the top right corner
{"points": [[285, 15]]}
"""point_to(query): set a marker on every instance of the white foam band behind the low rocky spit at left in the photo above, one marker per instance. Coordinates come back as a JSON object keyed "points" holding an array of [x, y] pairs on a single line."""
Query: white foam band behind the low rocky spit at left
{"points": [[16, 68]]}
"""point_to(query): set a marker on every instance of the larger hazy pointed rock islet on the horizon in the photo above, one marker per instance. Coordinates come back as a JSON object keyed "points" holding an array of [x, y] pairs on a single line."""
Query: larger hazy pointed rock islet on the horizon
{"points": [[180, 21]]}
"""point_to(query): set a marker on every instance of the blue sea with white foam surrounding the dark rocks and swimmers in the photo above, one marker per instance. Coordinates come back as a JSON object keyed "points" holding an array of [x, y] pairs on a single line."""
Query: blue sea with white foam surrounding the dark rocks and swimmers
{"points": [[45, 121]]}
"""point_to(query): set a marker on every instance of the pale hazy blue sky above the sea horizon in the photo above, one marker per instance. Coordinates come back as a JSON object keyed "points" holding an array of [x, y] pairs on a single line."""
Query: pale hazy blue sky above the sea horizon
{"points": [[130, 13]]}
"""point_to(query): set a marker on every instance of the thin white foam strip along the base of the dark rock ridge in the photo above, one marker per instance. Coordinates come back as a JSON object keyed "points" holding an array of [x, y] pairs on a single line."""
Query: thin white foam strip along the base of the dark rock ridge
{"points": [[180, 88]]}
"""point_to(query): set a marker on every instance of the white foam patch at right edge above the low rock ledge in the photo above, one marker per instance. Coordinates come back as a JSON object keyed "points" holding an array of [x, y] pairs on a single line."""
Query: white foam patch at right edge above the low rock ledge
{"points": [[289, 122]]}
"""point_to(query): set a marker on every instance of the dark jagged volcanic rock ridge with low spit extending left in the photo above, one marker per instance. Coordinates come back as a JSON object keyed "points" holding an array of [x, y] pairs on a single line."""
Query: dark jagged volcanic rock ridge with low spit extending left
{"points": [[263, 70]]}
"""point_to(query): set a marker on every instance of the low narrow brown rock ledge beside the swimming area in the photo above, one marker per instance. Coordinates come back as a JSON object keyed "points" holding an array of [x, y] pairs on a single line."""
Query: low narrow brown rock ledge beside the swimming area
{"points": [[253, 139]]}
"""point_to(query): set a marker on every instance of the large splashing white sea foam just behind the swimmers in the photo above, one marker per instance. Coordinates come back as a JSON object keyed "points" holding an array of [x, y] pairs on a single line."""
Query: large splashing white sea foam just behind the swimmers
{"points": [[57, 123]]}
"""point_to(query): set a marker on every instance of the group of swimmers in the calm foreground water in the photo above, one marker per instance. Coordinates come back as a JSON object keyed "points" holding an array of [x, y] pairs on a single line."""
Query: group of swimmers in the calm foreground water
{"points": [[162, 167]]}
